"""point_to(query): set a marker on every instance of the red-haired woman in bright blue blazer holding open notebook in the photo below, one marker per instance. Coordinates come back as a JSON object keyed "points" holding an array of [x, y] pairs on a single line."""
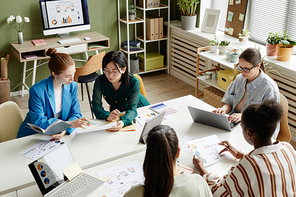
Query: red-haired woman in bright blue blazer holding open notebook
{"points": [[54, 98]]}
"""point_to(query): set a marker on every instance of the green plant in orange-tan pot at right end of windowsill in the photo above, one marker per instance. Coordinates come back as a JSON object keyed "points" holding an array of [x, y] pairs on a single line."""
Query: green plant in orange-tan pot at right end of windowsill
{"points": [[285, 47]]}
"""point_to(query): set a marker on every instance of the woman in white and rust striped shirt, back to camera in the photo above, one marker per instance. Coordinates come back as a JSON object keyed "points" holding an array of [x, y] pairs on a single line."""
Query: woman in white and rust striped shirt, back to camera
{"points": [[268, 170]]}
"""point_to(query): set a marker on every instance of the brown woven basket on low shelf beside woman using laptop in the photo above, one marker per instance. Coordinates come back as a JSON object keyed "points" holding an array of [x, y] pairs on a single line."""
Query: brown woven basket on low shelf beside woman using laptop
{"points": [[213, 96]]}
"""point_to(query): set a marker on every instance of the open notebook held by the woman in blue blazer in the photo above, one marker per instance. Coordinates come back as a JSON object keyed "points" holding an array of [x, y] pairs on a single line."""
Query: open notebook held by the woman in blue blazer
{"points": [[55, 128]]}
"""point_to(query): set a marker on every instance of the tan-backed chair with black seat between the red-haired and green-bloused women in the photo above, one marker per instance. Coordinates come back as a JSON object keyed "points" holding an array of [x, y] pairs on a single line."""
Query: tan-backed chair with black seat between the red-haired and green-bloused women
{"points": [[88, 73]]}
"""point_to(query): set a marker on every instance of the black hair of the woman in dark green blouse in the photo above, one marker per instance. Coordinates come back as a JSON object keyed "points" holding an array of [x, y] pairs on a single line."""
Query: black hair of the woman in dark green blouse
{"points": [[119, 60]]}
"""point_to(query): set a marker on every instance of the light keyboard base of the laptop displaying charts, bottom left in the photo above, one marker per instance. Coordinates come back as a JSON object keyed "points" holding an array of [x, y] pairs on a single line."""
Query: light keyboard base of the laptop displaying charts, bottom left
{"points": [[81, 186]]}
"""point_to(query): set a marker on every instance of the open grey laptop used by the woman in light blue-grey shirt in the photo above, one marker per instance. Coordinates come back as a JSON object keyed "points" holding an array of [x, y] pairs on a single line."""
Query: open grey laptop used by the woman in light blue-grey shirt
{"points": [[211, 119]]}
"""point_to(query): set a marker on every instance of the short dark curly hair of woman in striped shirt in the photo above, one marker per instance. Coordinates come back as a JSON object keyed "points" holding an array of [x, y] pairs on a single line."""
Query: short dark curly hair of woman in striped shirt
{"points": [[262, 118]]}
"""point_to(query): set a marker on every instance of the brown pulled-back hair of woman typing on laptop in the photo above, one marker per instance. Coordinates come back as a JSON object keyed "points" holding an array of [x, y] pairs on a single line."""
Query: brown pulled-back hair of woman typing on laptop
{"points": [[253, 56]]}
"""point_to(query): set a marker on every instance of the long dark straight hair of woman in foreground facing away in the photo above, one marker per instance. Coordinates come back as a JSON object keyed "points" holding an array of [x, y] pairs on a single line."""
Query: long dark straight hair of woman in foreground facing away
{"points": [[162, 148]]}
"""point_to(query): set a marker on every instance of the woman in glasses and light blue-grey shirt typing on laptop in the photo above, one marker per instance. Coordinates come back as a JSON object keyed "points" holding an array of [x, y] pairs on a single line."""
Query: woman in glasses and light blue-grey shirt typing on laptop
{"points": [[252, 86]]}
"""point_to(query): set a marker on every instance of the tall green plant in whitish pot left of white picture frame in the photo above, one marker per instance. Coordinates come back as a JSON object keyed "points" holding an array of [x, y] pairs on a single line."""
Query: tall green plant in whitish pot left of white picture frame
{"points": [[188, 16]]}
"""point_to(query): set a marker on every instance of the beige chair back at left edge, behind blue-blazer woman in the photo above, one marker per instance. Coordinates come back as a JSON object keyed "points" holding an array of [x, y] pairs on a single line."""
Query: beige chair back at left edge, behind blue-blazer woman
{"points": [[11, 118]]}
